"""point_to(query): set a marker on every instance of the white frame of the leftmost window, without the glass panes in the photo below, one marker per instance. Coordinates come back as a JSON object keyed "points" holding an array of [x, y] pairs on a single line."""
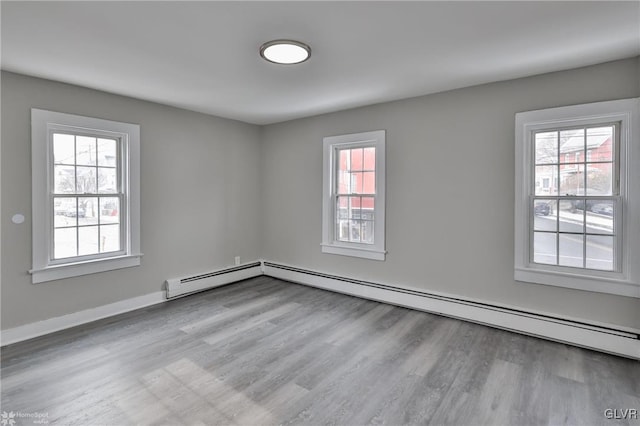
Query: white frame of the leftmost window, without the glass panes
{"points": [[43, 124]]}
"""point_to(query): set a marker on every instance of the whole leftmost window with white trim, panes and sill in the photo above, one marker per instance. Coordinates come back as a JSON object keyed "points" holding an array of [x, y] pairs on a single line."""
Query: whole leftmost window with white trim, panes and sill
{"points": [[86, 208]]}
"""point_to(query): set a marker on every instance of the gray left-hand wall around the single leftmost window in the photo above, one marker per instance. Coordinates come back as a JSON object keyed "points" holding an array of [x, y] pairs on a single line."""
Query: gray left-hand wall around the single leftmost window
{"points": [[199, 202]]}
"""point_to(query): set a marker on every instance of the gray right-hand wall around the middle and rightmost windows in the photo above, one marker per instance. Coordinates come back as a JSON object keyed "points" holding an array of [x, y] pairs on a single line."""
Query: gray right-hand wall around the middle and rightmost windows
{"points": [[450, 190]]}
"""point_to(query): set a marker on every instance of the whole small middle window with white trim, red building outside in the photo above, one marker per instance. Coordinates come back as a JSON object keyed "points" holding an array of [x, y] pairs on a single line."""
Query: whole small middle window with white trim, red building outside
{"points": [[354, 195]]}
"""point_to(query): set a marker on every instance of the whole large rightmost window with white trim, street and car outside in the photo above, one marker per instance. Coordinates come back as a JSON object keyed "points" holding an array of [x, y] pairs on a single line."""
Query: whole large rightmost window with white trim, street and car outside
{"points": [[581, 232]]}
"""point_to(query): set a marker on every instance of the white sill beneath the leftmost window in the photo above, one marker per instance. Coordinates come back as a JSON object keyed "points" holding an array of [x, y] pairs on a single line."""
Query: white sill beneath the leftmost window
{"points": [[69, 270]]}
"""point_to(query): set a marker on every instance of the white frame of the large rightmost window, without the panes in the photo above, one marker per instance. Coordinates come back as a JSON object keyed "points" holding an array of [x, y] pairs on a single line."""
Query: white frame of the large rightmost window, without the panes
{"points": [[625, 281]]}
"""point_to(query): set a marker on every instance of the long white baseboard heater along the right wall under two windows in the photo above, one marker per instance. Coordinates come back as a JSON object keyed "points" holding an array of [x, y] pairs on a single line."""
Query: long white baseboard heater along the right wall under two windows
{"points": [[609, 339]]}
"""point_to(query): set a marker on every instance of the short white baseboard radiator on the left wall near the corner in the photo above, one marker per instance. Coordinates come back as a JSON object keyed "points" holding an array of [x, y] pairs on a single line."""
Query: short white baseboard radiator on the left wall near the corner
{"points": [[178, 287]]}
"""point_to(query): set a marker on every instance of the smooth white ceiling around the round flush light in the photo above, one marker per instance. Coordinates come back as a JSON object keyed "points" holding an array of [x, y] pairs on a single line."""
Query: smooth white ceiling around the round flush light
{"points": [[203, 56]]}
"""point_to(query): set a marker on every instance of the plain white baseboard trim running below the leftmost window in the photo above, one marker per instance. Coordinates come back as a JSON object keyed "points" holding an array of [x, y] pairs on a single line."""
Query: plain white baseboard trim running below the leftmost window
{"points": [[40, 328]]}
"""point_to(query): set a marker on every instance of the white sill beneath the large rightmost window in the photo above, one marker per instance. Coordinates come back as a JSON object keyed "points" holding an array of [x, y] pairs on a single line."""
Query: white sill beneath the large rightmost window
{"points": [[615, 286]]}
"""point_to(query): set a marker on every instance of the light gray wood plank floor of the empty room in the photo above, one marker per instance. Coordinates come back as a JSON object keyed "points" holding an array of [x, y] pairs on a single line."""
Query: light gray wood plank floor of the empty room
{"points": [[264, 351]]}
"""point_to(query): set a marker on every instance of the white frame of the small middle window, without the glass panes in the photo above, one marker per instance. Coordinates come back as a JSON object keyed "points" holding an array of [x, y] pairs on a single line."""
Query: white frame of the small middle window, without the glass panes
{"points": [[330, 244]]}
